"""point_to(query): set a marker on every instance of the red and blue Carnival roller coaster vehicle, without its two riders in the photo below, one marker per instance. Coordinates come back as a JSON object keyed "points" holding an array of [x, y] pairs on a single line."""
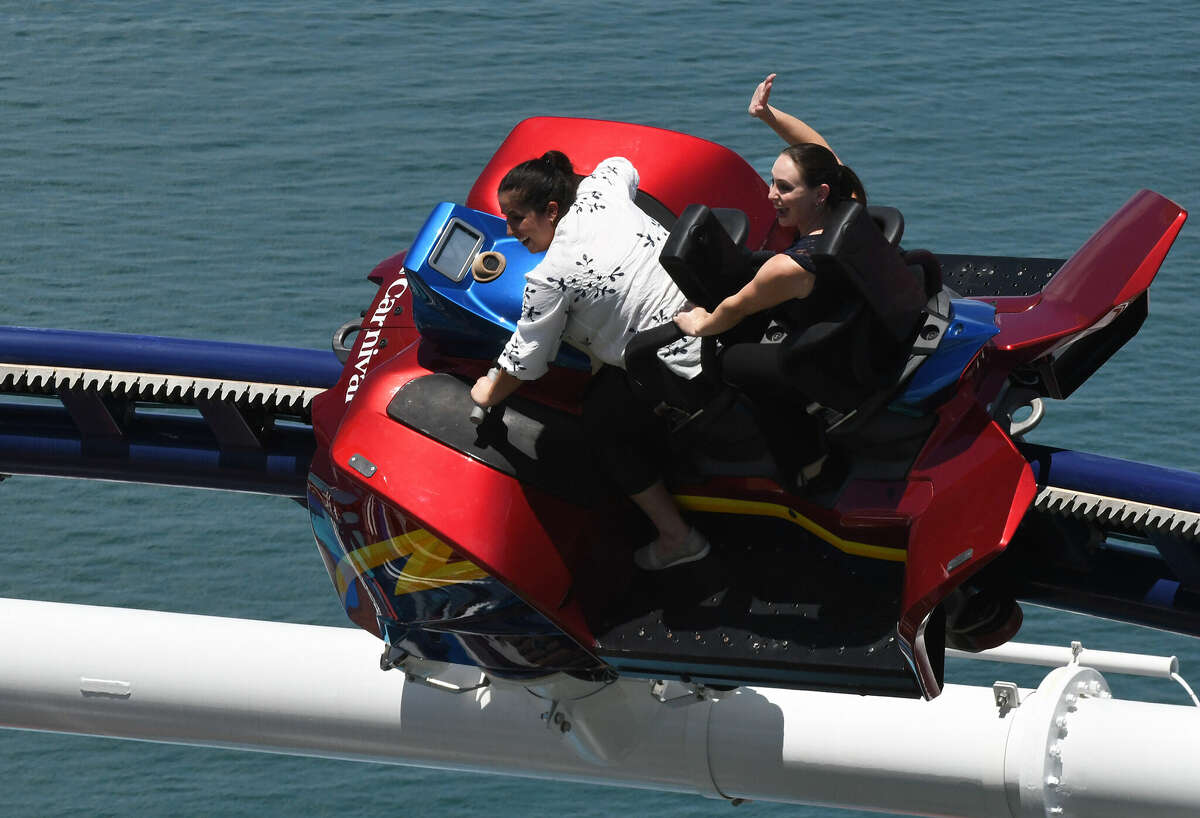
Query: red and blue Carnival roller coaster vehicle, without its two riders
{"points": [[502, 546]]}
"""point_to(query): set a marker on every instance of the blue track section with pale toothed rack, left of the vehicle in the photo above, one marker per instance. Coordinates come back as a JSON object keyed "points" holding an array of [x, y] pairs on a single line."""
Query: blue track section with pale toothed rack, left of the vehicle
{"points": [[165, 411]]}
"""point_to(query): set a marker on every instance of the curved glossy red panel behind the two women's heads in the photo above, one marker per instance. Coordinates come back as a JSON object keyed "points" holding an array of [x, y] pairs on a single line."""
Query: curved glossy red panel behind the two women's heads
{"points": [[675, 169]]}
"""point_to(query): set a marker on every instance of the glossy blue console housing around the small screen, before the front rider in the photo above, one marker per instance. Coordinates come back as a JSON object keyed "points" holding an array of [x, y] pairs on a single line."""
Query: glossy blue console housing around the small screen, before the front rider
{"points": [[467, 317]]}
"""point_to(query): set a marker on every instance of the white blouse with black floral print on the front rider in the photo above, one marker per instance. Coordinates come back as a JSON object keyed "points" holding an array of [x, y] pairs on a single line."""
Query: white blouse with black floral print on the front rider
{"points": [[599, 284]]}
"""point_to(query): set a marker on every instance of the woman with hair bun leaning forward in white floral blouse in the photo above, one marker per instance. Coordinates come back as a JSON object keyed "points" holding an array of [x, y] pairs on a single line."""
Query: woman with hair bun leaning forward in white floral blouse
{"points": [[599, 284]]}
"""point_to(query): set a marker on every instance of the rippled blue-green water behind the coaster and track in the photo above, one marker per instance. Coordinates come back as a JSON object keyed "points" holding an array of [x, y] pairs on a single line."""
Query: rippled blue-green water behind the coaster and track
{"points": [[235, 171]]}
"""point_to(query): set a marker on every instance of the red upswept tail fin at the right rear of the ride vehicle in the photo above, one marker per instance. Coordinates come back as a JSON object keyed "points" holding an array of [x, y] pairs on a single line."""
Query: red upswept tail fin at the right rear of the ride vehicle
{"points": [[1114, 267]]}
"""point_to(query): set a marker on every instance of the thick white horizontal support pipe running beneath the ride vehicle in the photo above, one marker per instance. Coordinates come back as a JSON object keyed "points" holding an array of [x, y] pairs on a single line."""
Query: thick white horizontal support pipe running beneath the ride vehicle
{"points": [[1066, 749]]}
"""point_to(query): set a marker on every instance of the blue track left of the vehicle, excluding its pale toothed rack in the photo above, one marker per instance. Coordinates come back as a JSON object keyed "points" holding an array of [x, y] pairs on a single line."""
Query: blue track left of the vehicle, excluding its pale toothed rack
{"points": [[213, 447]]}
